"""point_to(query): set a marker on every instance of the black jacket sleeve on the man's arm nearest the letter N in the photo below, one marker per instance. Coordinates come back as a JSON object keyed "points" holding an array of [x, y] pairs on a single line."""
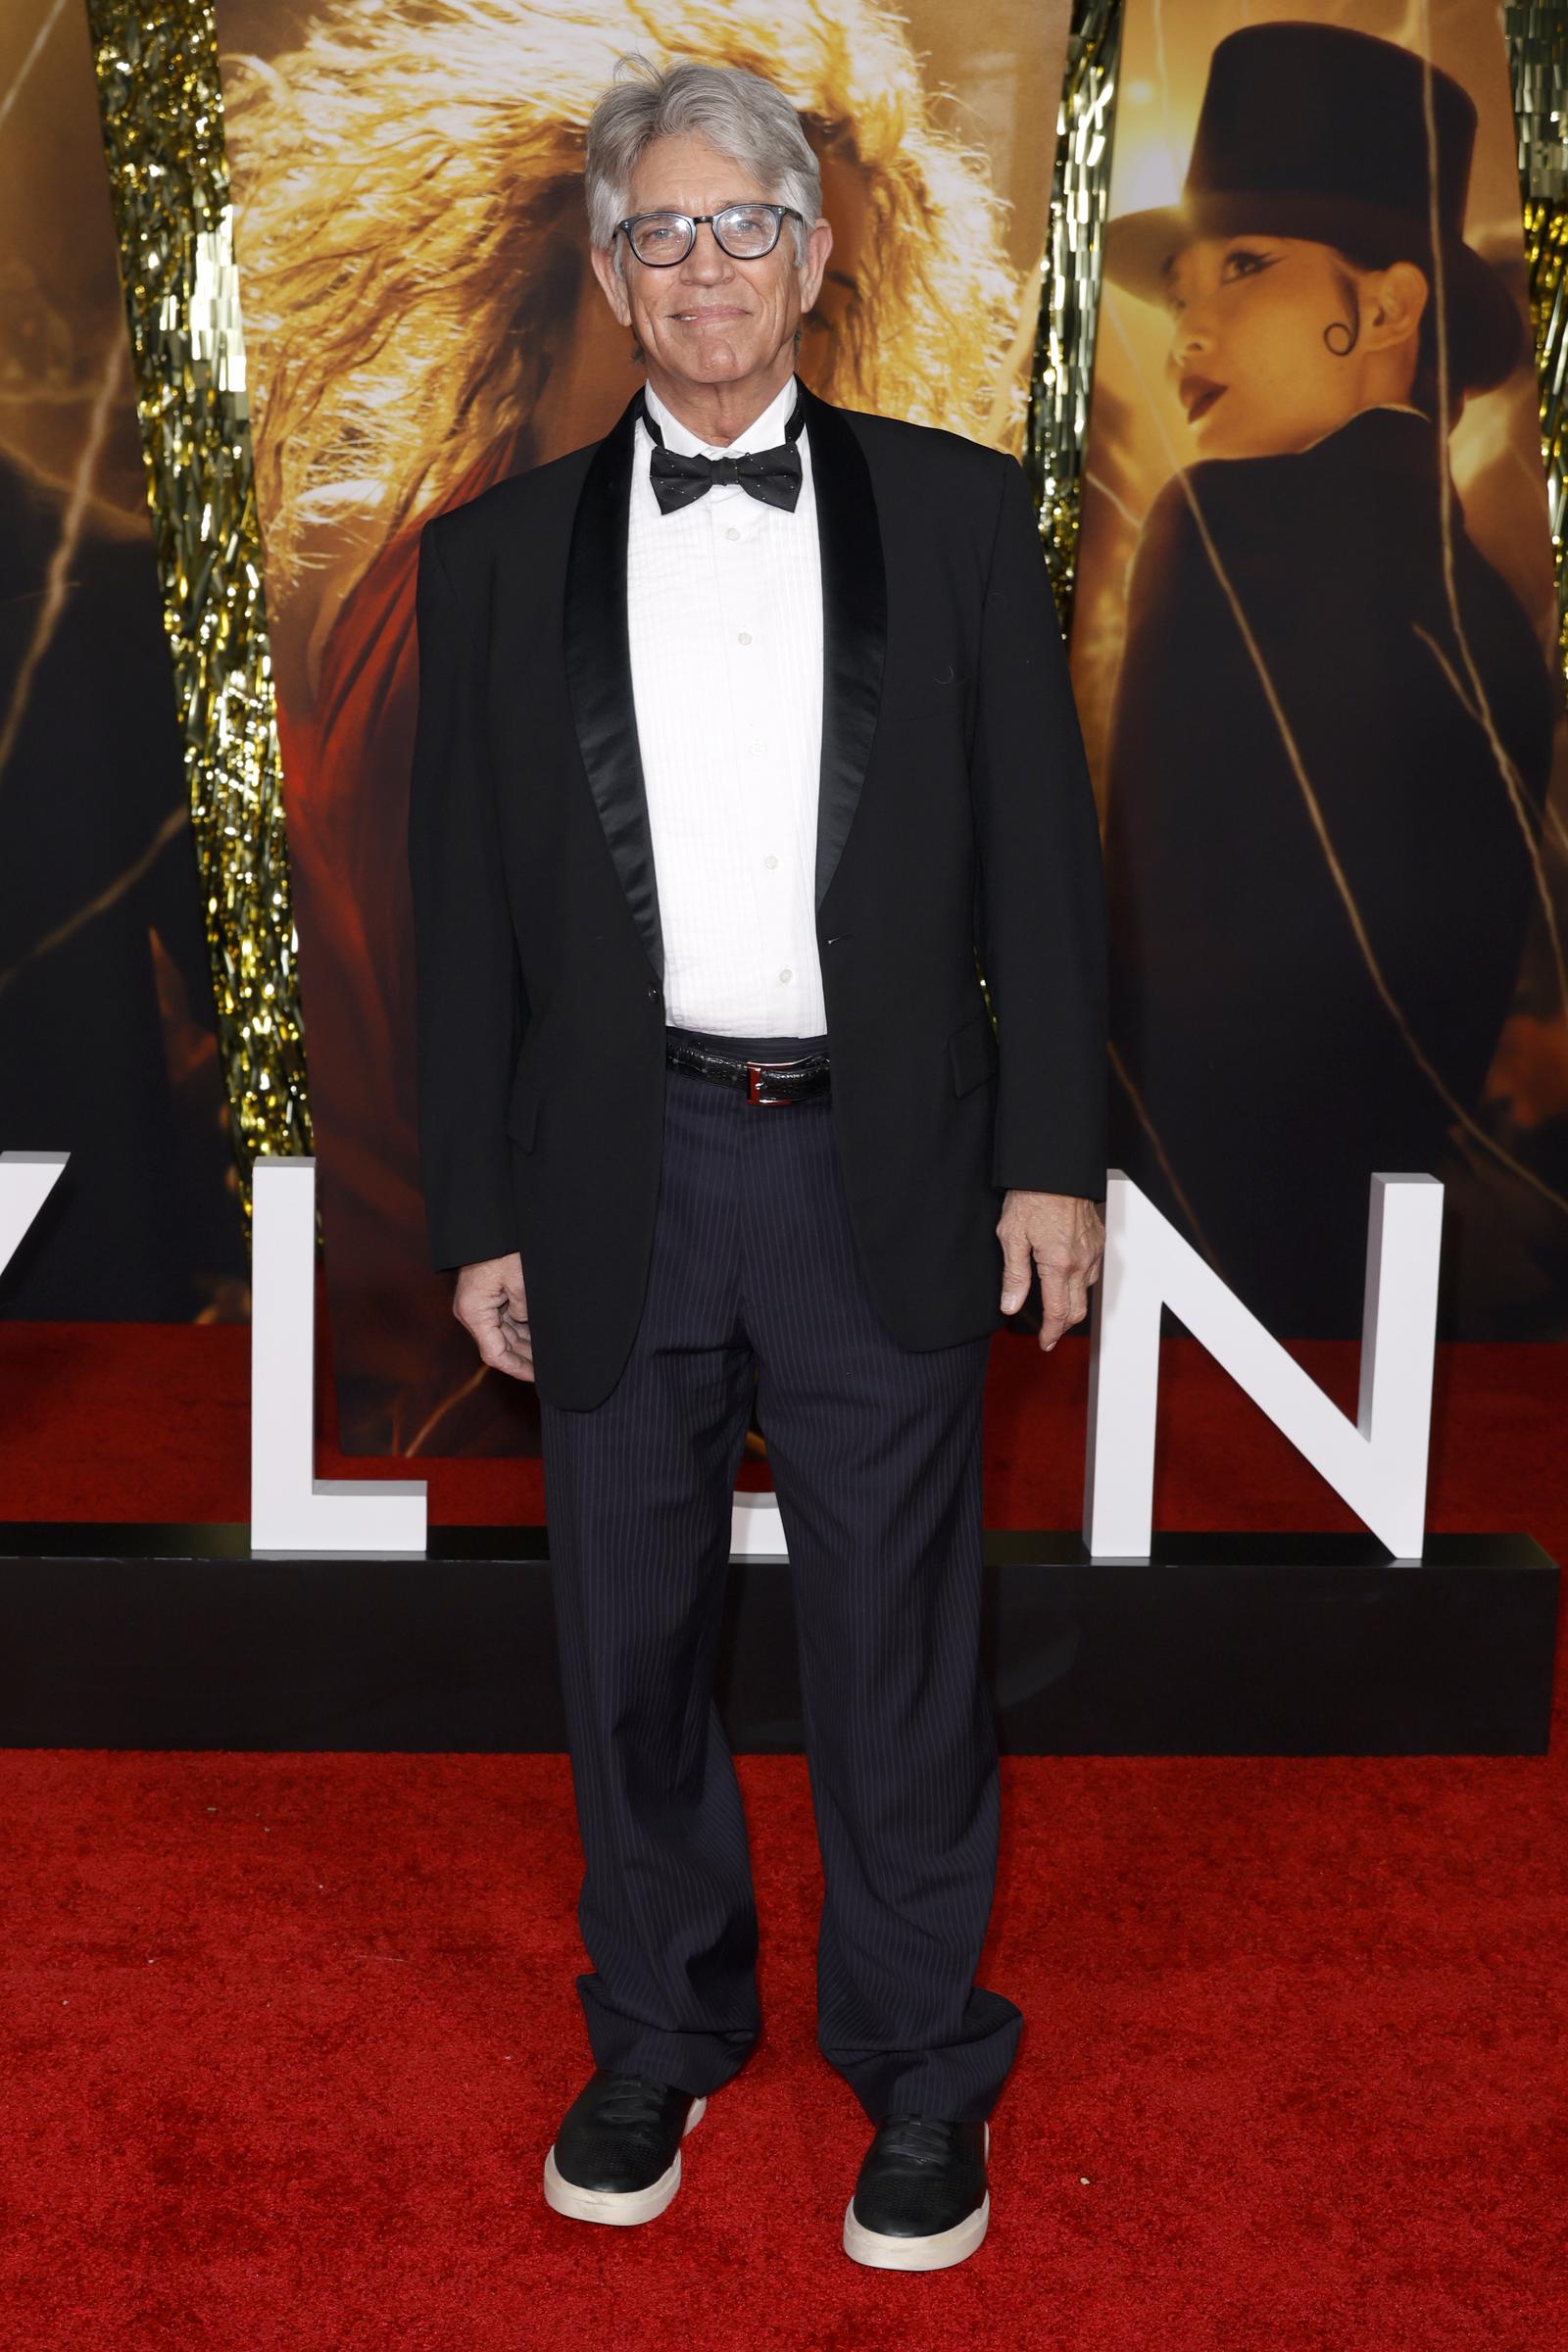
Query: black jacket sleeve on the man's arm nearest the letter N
{"points": [[1043, 895]]}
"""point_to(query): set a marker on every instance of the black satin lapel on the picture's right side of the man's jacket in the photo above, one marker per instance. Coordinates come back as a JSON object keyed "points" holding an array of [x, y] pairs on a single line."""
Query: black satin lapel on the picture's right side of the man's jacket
{"points": [[855, 624]]}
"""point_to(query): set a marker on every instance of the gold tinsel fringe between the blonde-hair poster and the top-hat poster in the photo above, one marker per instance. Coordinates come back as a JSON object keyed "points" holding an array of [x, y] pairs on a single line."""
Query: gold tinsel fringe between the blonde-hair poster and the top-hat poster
{"points": [[1057, 429]]}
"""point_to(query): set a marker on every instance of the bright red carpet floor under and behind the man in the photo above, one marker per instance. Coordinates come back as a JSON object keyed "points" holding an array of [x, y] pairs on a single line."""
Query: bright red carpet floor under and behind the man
{"points": [[283, 2038]]}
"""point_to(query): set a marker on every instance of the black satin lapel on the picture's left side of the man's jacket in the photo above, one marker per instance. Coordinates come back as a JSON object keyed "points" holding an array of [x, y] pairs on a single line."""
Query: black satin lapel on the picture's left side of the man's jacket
{"points": [[601, 674]]}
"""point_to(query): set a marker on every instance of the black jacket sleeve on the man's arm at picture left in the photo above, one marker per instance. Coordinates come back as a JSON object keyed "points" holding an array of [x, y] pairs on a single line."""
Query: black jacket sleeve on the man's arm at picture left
{"points": [[467, 975]]}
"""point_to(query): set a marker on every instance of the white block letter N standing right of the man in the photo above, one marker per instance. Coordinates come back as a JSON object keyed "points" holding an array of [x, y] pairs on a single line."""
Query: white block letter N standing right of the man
{"points": [[1379, 1464]]}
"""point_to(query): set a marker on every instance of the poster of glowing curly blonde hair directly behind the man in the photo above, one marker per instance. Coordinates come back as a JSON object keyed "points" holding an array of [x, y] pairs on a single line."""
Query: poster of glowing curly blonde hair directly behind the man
{"points": [[422, 323]]}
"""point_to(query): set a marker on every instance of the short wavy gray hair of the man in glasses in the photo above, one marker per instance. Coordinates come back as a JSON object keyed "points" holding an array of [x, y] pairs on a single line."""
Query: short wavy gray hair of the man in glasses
{"points": [[737, 112]]}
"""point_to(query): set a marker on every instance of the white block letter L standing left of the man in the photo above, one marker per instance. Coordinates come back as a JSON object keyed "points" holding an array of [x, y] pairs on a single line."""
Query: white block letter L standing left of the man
{"points": [[290, 1509]]}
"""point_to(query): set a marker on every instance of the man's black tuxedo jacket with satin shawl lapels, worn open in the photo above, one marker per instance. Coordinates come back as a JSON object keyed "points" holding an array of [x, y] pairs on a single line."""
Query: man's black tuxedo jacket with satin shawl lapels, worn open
{"points": [[956, 817]]}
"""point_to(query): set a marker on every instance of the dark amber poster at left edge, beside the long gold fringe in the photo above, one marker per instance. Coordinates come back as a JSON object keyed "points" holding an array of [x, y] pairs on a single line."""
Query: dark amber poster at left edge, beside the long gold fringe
{"points": [[107, 1020]]}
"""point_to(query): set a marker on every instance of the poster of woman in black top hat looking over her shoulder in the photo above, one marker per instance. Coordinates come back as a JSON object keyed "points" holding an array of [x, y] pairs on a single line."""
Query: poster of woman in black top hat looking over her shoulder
{"points": [[1315, 655]]}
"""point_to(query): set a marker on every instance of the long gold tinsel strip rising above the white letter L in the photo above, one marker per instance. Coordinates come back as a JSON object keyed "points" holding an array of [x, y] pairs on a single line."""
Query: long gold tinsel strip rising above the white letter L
{"points": [[163, 138]]}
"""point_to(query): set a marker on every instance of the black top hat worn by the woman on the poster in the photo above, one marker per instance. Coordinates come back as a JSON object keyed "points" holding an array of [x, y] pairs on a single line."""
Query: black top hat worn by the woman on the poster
{"points": [[1311, 131]]}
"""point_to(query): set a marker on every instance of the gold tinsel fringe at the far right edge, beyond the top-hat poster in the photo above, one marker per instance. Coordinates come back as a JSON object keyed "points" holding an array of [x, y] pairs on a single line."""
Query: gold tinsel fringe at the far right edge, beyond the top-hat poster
{"points": [[1539, 58]]}
